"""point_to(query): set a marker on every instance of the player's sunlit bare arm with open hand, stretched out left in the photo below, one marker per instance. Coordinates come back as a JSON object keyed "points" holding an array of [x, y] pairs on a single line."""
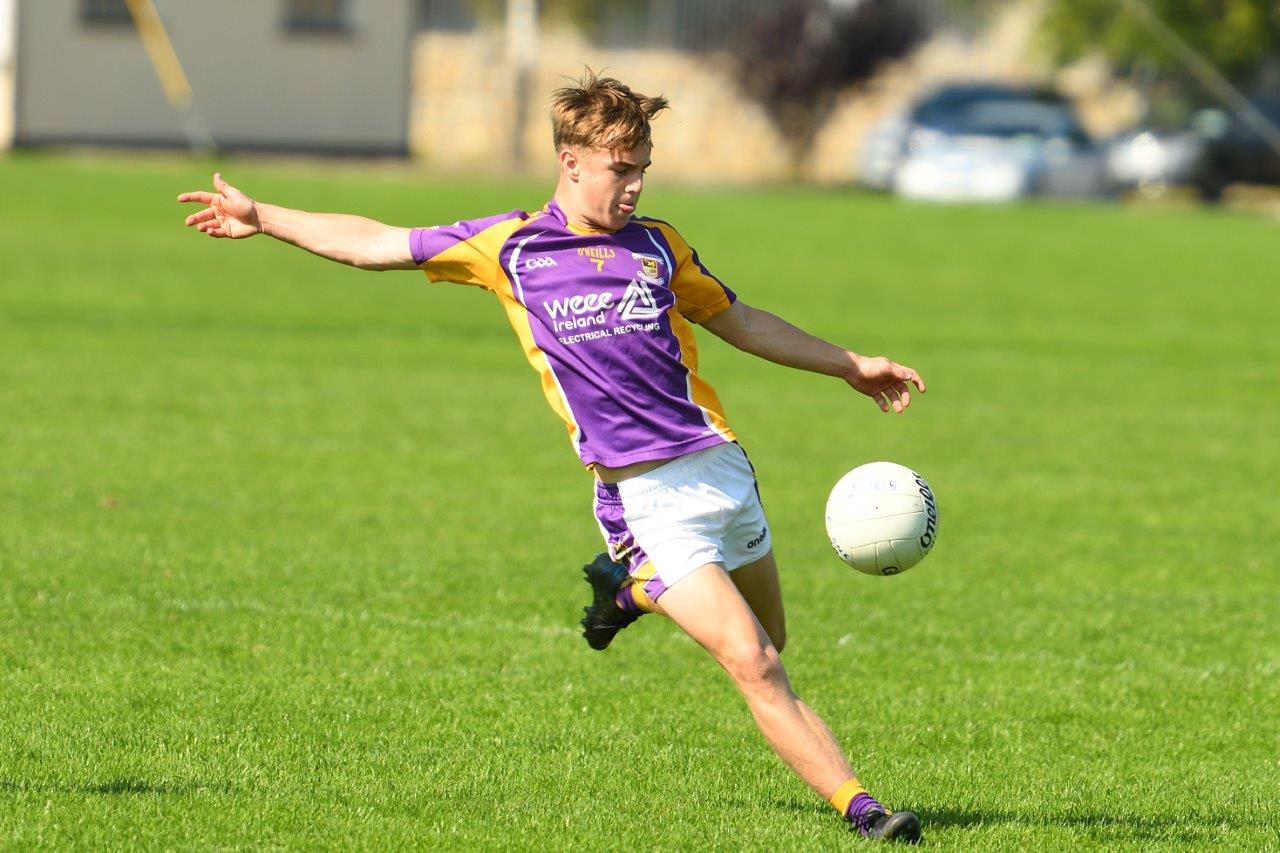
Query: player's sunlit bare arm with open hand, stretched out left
{"points": [[356, 241]]}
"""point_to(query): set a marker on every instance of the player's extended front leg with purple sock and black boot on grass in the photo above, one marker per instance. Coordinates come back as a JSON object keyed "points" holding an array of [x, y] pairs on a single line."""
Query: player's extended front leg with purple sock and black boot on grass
{"points": [[710, 608]]}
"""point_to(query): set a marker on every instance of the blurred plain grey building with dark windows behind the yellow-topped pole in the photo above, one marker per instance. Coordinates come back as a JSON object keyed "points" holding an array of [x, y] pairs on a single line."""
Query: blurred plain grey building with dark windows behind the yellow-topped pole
{"points": [[322, 76]]}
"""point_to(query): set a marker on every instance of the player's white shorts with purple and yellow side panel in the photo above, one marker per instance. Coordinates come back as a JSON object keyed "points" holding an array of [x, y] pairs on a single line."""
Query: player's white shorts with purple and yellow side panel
{"points": [[694, 510]]}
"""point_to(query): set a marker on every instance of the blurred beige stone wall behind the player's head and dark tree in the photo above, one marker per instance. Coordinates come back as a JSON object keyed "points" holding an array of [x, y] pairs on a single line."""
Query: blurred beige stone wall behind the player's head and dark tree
{"points": [[464, 102]]}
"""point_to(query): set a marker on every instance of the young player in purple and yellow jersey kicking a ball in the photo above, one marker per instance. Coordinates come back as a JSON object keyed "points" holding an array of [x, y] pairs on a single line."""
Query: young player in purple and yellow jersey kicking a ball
{"points": [[604, 304]]}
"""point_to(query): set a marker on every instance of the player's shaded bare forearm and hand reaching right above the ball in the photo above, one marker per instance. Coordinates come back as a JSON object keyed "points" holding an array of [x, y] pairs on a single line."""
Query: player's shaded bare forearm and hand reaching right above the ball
{"points": [[775, 340]]}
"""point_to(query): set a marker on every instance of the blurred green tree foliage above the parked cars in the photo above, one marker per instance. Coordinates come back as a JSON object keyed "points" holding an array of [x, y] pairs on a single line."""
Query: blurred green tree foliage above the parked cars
{"points": [[1233, 35]]}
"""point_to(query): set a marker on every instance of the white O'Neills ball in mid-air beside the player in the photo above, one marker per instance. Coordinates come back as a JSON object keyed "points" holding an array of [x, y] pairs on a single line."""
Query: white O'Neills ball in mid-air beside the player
{"points": [[883, 518]]}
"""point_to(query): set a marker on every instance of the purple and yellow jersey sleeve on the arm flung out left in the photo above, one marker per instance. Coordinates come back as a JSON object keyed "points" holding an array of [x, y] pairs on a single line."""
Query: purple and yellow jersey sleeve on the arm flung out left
{"points": [[468, 252]]}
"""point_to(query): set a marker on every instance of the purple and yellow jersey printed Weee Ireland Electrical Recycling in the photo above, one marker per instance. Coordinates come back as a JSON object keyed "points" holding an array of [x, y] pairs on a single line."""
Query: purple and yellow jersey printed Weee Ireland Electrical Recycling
{"points": [[605, 320]]}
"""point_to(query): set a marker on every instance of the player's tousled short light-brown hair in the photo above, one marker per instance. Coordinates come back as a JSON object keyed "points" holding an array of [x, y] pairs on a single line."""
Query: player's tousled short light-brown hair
{"points": [[602, 113]]}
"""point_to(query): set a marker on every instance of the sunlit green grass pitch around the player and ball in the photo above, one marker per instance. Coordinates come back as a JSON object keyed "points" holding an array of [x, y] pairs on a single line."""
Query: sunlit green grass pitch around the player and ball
{"points": [[290, 553]]}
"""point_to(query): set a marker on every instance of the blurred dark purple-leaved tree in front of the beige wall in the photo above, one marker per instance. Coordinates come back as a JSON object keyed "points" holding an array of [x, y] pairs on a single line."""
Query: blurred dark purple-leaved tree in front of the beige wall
{"points": [[798, 56]]}
